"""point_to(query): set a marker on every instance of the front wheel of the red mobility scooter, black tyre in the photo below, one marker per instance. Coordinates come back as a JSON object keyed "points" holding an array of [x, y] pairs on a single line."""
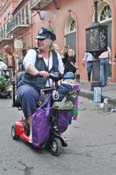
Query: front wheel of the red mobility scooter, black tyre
{"points": [[55, 146]]}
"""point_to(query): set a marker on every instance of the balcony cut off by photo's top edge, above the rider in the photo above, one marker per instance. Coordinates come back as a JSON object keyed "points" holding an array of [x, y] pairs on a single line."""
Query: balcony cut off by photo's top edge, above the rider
{"points": [[40, 4]]}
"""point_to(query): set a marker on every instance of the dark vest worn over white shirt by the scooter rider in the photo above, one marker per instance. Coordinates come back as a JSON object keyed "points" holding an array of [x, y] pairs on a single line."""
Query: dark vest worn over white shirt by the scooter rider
{"points": [[39, 82]]}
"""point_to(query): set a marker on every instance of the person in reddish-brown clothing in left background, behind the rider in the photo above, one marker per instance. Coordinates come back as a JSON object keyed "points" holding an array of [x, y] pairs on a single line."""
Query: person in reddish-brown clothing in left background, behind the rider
{"points": [[11, 61]]}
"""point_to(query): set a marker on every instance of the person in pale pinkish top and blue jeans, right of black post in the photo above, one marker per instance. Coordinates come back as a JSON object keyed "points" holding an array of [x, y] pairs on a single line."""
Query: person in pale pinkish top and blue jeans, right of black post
{"points": [[104, 61]]}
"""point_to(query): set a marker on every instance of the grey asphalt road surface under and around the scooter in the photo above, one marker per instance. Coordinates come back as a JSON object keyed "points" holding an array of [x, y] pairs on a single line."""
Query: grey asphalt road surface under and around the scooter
{"points": [[91, 145]]}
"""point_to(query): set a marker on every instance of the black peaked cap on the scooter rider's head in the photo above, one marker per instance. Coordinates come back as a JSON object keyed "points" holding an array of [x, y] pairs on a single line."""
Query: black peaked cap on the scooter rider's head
{"points": [[46, 33]]}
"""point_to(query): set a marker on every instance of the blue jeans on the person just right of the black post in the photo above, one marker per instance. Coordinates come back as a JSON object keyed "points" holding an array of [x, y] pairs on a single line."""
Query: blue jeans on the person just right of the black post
{"points": [[104, 71]]}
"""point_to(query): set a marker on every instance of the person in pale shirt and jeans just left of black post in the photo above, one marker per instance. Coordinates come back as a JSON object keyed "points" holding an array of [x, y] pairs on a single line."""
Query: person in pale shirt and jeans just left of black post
{"points": [[88, 59]]}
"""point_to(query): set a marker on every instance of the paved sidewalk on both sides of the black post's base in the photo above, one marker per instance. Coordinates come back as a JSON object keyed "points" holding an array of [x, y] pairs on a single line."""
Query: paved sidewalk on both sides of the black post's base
{"points": [[107, 92]]}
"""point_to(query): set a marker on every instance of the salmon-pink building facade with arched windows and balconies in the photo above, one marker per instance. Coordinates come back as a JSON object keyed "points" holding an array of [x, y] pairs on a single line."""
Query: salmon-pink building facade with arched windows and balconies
{"points": [[21, 20]]}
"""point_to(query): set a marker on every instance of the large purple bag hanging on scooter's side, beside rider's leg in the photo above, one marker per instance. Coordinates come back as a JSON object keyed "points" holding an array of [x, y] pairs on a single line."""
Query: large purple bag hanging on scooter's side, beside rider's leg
{"points": [[41, 123]]}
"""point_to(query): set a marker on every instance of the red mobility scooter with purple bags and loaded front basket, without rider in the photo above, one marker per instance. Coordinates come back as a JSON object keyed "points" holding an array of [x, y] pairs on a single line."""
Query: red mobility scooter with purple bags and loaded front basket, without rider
{"points": [[56, 108]]}
